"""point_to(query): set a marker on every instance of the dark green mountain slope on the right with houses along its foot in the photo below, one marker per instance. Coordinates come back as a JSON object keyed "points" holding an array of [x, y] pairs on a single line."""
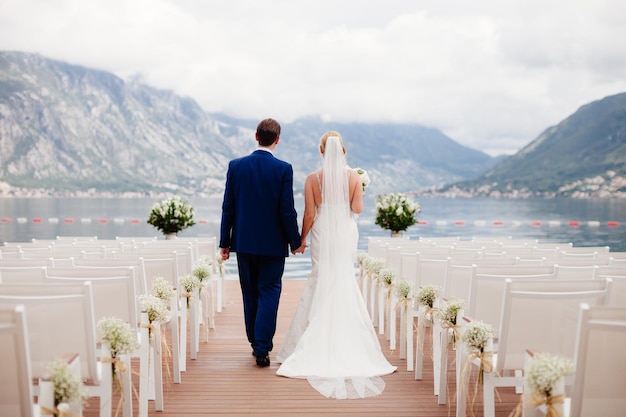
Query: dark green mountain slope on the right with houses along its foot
{"points": [[583, 156]]}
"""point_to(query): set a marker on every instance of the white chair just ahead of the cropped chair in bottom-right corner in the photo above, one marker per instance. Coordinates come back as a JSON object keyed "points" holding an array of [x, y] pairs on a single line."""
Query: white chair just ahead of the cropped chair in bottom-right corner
{"points": [[540, 315]]}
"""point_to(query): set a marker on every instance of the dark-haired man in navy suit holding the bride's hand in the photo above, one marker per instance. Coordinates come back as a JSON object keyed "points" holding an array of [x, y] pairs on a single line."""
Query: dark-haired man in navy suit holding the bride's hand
{"points": [[259, 222]]}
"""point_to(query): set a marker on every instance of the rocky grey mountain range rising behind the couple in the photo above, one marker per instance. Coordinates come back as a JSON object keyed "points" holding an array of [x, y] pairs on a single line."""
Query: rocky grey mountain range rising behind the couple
{"points": [[70, 130]]}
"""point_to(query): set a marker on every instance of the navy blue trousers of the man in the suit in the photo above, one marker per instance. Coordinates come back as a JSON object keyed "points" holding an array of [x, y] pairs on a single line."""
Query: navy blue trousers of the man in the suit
{"points": [[260, 278]]}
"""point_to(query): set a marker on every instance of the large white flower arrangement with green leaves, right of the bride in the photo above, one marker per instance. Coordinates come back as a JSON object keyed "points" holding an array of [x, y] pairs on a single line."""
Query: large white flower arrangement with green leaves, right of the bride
{"points": [[396, 212]]}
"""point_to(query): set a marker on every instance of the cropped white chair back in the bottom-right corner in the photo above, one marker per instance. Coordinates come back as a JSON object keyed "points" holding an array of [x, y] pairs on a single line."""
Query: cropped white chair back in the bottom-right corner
{"points": [[600, 363]]}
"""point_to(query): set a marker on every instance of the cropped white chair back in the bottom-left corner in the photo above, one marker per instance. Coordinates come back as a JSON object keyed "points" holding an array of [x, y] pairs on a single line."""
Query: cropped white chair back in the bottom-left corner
{"points": [[16, 393]]}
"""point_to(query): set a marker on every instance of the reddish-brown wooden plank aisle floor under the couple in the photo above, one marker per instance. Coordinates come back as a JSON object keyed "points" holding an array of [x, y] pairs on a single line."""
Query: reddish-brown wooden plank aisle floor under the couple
{"points": [[225, 381]]}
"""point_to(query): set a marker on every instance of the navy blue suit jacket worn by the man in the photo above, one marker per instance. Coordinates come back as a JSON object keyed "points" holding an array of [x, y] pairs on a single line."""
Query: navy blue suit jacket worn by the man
{"points": [[258, 213]]}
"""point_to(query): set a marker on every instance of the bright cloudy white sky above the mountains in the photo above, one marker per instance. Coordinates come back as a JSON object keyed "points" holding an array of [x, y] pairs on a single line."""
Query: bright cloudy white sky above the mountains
{"points": [[491, 74]]}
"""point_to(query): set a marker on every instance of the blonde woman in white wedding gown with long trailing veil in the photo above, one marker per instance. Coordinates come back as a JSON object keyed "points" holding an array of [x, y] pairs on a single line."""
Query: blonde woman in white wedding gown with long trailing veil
{"points": [[331, 340]]}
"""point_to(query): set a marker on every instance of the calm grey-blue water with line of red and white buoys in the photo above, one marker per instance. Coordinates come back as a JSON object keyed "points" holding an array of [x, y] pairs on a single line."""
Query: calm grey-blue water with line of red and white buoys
{"points": [[582, 222]]}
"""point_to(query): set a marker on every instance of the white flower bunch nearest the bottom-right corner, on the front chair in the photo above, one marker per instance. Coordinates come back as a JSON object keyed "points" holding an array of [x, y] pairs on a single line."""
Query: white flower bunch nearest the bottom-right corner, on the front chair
{"points": [[544, 370]]}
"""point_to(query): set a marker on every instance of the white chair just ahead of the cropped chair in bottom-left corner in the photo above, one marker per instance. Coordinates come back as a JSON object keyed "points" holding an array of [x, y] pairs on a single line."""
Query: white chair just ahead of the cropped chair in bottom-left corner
{"points": [[61, 320]]}
